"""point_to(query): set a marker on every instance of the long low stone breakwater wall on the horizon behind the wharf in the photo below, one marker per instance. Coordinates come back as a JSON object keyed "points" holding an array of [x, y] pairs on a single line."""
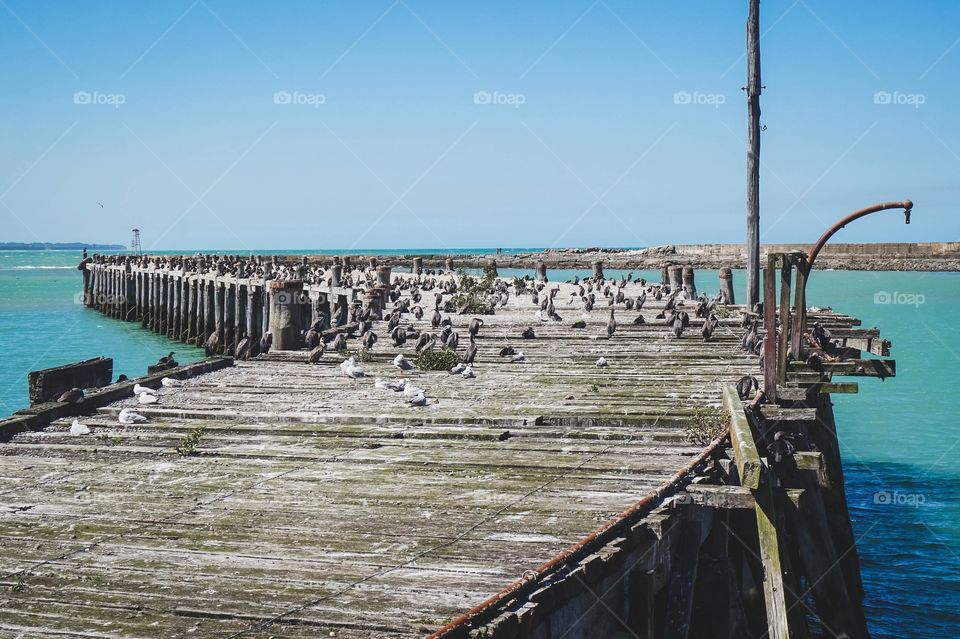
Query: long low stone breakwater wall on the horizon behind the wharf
{"points": [[888, 256]]}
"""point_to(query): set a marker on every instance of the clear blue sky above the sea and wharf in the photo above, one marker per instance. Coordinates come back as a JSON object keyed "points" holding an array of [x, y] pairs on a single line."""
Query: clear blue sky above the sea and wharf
{"points": [[583, 142]]}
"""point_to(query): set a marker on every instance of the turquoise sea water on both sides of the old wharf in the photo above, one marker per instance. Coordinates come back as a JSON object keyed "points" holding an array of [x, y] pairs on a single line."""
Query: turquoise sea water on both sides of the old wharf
{"points": [[900, 439]]}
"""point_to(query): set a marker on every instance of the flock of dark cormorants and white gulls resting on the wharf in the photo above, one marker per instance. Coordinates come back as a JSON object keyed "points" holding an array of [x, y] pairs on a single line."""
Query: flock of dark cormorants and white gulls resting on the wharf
{"points": [[426, 310]]}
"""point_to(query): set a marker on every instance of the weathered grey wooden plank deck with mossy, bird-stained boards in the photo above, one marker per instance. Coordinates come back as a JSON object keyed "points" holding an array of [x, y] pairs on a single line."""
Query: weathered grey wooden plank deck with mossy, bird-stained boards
{"points": [[320, 504]]}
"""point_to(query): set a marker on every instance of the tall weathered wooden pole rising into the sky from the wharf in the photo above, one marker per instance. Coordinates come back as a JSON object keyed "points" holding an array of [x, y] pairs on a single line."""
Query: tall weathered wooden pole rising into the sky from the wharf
{"points": [[753, 154]]}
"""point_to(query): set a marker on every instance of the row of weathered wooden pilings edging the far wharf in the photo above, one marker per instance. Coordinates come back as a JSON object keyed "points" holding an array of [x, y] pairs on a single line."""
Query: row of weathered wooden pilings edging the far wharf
{"points": [[192, 307]]}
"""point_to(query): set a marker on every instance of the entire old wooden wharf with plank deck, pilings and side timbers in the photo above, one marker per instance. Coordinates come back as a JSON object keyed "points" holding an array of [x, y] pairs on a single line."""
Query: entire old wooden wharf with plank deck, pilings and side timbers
{"points": [[550, 497]]}
